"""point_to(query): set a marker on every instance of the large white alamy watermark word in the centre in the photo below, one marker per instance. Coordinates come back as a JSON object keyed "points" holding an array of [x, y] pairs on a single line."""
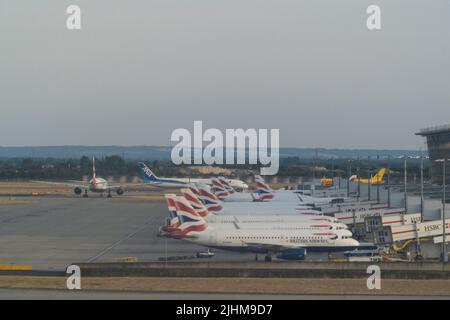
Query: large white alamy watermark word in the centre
{"points": [[239, 145]]}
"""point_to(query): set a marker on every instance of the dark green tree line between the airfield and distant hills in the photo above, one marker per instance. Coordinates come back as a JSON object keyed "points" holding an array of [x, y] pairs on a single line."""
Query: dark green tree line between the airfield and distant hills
{"points": [[64, 169]]}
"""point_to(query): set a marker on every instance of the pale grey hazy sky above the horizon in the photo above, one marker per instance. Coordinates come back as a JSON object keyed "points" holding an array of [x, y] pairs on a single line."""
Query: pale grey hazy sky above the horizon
{"points": [[139, 69]]}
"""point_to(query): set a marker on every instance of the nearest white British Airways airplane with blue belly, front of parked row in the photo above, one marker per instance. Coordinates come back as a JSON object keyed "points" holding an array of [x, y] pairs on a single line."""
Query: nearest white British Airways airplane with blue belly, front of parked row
{"points": [[288, 244]]}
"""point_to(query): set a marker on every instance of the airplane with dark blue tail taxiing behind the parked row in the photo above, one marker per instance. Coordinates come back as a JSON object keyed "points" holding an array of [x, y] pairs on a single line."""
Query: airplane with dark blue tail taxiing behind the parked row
{"points": [[150, 178]]}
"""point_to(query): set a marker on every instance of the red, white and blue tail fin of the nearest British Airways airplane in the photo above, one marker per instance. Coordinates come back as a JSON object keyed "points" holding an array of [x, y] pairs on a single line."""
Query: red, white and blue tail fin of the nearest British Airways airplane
{"points": [[190, 221]]}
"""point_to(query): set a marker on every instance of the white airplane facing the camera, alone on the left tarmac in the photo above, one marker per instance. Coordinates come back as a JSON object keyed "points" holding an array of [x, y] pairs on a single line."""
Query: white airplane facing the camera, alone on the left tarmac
{"points": [[95, 185]]}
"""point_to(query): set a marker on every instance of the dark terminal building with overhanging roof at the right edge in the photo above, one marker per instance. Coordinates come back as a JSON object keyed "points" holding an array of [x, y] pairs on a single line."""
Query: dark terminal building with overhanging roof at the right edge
{"points": [[438, 142]]}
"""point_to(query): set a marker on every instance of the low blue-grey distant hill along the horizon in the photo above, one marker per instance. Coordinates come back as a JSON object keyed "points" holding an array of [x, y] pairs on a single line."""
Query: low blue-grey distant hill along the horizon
{"points": [[163, 153]]}
